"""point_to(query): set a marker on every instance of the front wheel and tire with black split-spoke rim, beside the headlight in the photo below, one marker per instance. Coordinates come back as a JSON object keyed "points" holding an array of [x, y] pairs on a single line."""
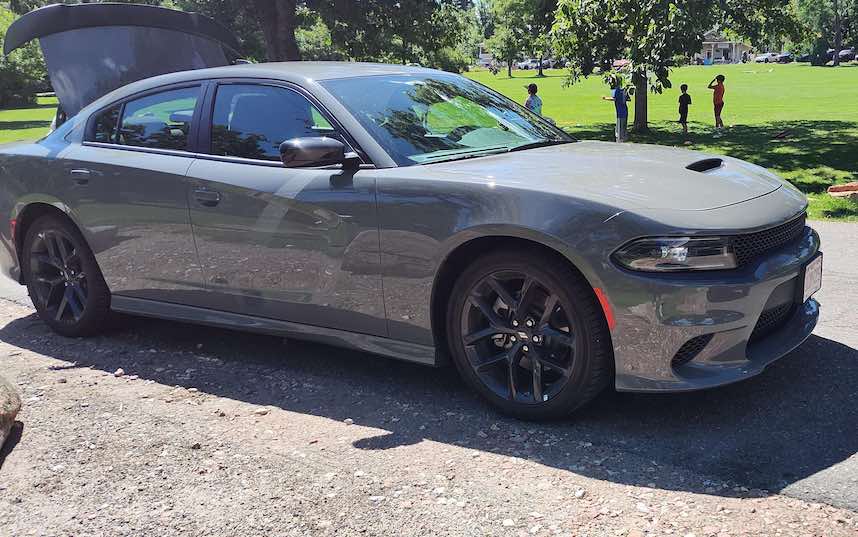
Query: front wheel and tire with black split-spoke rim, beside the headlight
{"points": [[568, 357]]}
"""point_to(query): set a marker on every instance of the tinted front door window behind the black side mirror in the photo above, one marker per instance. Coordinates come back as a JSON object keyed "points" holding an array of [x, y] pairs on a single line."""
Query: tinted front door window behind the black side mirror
{"points": [[252, 121]]}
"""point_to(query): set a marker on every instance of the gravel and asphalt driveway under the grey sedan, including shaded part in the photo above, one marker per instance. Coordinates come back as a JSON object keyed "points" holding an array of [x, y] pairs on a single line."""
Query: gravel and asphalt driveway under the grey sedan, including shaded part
{"points": [[208, 432]]}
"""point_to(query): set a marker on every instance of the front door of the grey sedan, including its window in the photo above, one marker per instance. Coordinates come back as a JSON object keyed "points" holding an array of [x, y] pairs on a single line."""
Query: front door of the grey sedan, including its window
{"points": [[298, 245]]}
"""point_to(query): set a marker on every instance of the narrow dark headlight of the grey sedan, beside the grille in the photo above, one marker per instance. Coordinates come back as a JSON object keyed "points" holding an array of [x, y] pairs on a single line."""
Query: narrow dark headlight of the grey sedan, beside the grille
{"points": [[671, 254]]}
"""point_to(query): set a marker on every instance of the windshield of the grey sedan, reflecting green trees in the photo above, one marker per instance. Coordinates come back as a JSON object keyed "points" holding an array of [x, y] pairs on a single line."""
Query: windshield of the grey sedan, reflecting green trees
{"points": [[421, 119]]}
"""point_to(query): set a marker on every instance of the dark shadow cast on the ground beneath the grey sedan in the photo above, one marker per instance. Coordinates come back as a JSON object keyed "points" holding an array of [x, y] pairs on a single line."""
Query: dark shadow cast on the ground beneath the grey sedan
{"points": [[795, 420]]}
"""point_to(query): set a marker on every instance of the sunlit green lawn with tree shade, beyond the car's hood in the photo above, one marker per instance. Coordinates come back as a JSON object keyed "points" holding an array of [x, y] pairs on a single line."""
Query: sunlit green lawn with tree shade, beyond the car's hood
{"points": [[815, 107]]}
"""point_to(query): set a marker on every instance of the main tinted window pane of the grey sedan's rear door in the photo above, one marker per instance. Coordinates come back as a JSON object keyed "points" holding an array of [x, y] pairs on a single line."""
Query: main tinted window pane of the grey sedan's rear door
{"points": [[160, 121]]}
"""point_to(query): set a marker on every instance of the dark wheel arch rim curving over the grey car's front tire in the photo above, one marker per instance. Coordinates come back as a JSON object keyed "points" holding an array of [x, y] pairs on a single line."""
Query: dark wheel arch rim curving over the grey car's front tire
{"points": [[466, 250]]}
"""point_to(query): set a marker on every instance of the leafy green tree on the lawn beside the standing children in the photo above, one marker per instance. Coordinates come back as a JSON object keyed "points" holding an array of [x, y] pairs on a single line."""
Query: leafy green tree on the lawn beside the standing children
{"points": [[651, 33]]}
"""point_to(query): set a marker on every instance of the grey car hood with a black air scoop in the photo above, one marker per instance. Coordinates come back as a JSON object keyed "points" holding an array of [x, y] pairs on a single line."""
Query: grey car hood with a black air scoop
{"points": [[627, 176]]}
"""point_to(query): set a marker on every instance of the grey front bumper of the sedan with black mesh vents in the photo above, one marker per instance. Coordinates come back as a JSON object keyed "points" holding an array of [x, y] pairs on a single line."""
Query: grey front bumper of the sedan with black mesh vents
{"points": [[658, 314]]}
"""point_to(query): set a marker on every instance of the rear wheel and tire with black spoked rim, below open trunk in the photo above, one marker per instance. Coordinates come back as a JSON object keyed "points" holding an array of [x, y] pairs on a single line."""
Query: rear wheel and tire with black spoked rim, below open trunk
{"points": [[63, 278]]}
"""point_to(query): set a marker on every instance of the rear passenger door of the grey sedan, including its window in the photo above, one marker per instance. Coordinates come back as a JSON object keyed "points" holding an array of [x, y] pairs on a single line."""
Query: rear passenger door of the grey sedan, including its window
{"points": [[127, 185]]}
